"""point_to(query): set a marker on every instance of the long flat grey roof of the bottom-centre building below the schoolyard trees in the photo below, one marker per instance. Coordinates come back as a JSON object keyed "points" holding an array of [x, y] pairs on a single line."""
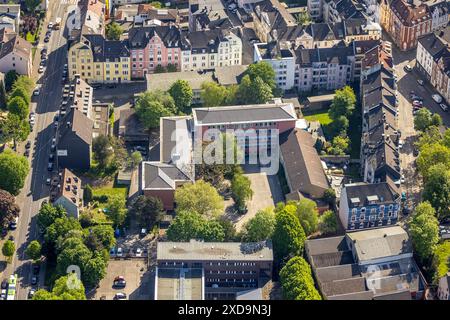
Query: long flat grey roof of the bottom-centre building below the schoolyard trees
{"points": [[215, 251]]}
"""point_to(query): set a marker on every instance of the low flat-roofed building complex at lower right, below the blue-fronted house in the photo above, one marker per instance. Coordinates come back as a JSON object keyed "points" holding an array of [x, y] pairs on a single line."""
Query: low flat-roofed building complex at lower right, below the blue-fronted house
{"points": [[375, 264]]}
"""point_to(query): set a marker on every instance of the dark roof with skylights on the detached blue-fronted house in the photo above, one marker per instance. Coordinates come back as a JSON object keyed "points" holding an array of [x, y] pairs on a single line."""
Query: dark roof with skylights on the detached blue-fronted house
{"points": [[363, 190]]}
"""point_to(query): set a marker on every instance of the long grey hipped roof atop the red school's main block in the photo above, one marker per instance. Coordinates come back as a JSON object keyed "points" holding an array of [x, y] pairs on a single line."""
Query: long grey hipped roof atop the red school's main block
{"points": [[247, 113]]}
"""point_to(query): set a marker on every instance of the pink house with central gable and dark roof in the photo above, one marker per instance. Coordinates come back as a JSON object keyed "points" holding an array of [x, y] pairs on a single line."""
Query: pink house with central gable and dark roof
{"points": [[154, 46]]}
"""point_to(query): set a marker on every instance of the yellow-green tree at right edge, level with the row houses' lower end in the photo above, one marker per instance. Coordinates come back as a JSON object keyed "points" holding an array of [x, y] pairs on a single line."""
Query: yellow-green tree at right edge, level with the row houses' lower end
{"points": [[431, 155]]}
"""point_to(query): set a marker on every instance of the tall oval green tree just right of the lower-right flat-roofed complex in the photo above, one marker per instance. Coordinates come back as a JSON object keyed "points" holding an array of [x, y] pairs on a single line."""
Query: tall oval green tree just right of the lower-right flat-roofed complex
{"points": [[424, 230]]}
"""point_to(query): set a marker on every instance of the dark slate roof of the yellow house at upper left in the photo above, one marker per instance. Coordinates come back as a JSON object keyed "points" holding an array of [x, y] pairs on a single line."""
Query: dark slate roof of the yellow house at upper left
{"points": [[106, 49]]}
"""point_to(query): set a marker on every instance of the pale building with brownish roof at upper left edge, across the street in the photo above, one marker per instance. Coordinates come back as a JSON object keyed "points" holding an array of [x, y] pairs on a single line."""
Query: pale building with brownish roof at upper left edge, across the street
{"points": [[15, 53]]}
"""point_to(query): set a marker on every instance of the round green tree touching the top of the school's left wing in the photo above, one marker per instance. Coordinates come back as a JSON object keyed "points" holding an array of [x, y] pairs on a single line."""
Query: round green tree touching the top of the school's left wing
{"points": [[152, 105]]}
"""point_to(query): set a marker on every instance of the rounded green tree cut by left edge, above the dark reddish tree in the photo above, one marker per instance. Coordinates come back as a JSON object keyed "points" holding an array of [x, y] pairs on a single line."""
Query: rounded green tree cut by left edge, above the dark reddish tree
{"points": [[13, 171]]}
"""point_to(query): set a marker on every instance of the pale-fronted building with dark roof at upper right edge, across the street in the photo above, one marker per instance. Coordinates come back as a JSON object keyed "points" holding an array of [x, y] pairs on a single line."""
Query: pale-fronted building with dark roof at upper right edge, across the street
{"points": [[433, 60]]}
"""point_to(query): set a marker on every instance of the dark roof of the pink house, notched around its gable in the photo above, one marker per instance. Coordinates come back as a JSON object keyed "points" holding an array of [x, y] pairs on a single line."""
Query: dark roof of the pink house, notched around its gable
{"points": [[140, 36]]}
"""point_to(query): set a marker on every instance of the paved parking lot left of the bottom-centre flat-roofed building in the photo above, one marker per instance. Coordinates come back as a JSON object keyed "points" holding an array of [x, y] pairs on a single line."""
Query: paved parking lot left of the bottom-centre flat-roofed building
{"points": [[139, 280]]}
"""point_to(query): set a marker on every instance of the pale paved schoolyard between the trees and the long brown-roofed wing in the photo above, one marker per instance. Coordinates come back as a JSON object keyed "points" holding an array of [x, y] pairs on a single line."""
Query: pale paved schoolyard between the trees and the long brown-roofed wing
{"points": [[266, 193]]}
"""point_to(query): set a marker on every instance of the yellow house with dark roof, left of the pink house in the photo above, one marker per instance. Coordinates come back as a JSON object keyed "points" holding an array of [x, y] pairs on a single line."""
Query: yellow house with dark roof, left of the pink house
{"points": [[98, 60]]}
